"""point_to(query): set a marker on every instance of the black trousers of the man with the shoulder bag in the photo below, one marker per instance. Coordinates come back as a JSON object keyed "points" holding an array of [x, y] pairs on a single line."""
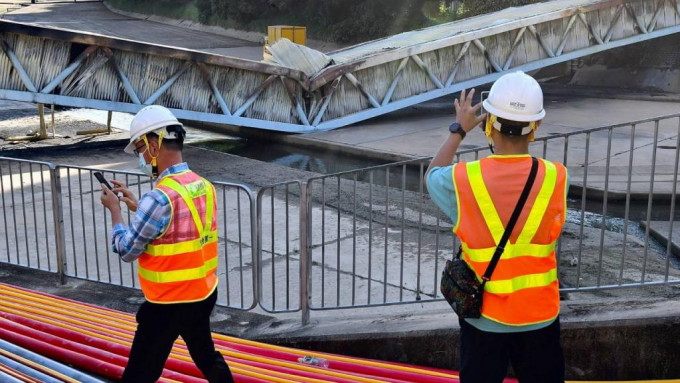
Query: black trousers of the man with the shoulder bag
{"points": [[536, 356]]}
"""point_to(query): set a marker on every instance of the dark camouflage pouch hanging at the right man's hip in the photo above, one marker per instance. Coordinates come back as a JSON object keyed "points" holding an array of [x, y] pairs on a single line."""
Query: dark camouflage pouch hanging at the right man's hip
{"points": [[460, 287]]}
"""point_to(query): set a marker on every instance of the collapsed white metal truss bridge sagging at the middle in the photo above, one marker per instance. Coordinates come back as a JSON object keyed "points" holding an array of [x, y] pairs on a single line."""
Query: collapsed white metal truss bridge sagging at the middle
{"points": [[54, 66]]}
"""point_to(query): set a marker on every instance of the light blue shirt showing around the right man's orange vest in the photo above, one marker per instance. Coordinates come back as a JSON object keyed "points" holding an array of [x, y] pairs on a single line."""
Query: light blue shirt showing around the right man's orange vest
{"points": [[441, 186]]}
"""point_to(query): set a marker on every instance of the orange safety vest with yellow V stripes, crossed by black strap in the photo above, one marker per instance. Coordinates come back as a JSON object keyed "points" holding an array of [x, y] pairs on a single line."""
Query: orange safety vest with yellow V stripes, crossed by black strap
{"points": [[523, 289]]}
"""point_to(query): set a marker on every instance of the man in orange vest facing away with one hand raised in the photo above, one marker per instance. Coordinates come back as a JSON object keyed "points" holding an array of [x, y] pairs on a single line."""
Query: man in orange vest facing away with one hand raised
{"points": [[519, 324]]}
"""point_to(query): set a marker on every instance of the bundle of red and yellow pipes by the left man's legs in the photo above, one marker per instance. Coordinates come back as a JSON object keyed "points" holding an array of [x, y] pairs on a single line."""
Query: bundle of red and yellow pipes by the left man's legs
{"points": [[98, 340]]}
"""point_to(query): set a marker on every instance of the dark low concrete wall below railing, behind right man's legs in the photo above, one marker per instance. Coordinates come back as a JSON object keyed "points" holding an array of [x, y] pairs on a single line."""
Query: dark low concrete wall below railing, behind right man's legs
{"points": [[626, 349]]}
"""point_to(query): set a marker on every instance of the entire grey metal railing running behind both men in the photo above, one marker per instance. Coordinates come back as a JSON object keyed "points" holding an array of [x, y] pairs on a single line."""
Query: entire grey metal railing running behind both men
{"points": [[372, 236]]}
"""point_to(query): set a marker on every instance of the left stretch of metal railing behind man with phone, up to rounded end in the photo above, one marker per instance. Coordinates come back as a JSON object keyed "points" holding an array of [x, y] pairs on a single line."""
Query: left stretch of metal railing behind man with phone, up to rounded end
{"points": [[38, 197]]}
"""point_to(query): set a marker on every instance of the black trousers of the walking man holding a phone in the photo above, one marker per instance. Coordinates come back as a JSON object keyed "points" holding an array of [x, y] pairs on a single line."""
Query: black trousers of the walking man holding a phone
{"points": [[158, 327]]}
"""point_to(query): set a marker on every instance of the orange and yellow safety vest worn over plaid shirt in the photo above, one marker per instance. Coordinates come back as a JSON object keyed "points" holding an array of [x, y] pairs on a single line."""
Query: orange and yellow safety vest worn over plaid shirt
{"points": [[179, 266]]}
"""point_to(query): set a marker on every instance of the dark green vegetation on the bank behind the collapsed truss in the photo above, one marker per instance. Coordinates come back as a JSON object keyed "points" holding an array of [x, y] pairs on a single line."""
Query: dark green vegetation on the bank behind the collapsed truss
{"points": [[341, 21]]}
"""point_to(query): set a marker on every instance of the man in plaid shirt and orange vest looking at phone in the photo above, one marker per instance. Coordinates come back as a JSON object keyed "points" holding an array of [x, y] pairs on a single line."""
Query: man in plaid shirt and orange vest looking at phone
{"points": [[173, 235]]}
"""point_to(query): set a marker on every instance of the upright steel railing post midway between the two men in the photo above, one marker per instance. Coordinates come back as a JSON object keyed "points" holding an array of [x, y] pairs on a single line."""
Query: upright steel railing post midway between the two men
{"points": [[305, 258]]}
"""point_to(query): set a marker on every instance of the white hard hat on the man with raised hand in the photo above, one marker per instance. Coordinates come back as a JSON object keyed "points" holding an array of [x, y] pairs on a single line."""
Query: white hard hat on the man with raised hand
{"points": [[517, 97]]}
